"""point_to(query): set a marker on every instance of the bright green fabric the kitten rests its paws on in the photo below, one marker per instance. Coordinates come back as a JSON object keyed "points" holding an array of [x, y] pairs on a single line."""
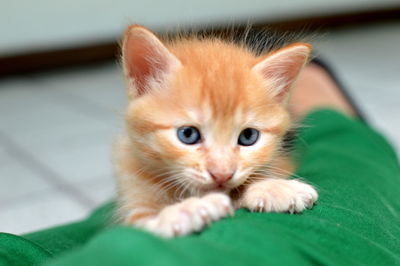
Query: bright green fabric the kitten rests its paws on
{"points": [[355, 222]]}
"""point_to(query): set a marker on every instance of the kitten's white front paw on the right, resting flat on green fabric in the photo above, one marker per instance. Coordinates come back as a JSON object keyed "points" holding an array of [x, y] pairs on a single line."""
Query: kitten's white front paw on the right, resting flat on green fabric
{"points": [[279, 195]]}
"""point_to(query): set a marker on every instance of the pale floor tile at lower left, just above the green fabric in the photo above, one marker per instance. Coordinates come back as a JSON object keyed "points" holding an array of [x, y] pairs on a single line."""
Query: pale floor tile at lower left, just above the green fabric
{"points": [[39, 213]]}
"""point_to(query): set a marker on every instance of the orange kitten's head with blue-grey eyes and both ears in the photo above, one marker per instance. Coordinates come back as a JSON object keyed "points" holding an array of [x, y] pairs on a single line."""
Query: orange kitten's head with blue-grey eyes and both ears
{"points": [[205, 114]]}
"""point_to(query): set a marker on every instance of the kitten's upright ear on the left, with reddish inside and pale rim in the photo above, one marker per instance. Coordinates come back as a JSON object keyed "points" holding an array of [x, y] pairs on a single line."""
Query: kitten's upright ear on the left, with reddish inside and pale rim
{"points": [[146, 61]]}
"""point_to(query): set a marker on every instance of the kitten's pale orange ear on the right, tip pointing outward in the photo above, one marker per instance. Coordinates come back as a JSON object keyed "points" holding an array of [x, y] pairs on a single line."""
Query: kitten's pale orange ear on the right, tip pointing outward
{"points": [[281, 68]]}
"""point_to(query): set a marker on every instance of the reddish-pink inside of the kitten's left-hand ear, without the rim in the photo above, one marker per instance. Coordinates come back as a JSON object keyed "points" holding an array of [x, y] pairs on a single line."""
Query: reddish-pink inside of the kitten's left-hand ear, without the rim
{"points": [[143, 61]]}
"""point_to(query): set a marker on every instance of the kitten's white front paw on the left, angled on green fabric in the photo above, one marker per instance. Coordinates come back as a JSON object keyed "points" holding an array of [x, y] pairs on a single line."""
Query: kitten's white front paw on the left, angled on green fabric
{"points": [[190, 215]]}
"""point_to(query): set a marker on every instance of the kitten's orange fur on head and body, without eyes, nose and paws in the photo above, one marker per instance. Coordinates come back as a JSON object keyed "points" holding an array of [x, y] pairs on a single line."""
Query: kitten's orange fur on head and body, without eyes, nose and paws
{"points": [[212, 85]]}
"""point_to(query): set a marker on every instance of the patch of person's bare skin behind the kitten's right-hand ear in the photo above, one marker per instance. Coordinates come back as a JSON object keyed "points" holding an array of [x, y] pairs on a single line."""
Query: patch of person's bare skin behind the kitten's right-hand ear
{"points": [[314, 89]]}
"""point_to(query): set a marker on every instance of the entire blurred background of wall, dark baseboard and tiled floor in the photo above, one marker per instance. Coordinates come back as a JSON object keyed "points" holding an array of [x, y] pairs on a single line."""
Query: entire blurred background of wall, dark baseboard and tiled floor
{"points": [[62, 94]]}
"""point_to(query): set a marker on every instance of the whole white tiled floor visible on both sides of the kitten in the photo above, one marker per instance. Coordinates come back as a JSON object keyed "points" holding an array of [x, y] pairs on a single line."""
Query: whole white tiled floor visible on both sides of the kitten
{"points": [[56, 129]]}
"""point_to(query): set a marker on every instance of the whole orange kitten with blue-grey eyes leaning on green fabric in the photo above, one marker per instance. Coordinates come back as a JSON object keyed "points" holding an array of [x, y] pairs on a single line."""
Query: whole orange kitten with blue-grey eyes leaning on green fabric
{"points": [[205, 124]]}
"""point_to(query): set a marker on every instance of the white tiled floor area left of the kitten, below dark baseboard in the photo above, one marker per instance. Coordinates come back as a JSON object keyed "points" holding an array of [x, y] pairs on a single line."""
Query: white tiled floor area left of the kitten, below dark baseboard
{"points": [[55, 137]]}
